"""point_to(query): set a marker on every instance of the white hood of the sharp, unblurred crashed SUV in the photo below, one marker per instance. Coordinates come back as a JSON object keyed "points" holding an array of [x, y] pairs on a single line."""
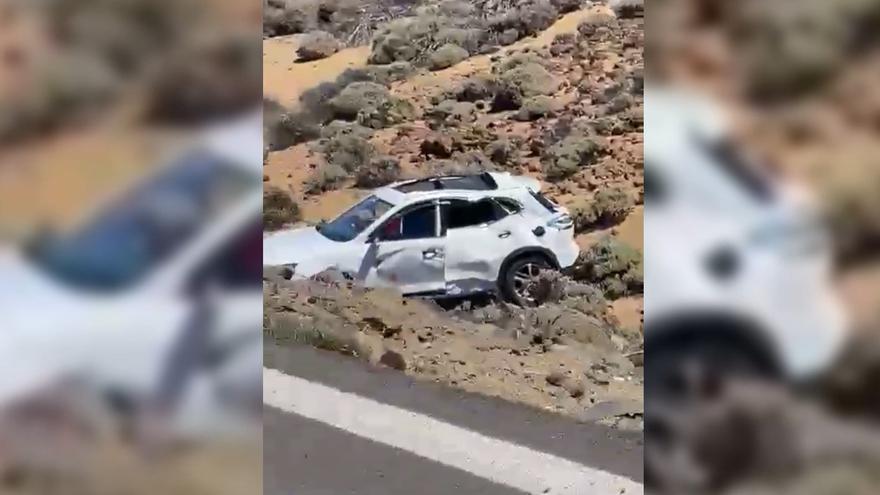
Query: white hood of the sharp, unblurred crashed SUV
{"points": [[310, 251]]}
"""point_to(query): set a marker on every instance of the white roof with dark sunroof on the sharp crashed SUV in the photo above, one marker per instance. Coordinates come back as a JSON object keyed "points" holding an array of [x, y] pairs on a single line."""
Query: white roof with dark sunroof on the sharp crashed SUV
{"points": [[462, 186]]}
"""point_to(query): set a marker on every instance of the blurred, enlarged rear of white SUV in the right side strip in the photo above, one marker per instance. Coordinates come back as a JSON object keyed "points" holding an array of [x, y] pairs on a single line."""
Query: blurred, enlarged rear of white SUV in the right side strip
{"points": [[737, 288]]}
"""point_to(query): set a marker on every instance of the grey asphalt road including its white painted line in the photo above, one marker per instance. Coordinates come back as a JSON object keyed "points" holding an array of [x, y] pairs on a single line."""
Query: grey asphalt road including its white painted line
{"points": [[335, 425]]}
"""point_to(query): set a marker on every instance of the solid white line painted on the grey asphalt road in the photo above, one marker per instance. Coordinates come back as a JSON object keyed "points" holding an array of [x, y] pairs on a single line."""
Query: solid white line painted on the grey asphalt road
{"points": [[496, 460]]}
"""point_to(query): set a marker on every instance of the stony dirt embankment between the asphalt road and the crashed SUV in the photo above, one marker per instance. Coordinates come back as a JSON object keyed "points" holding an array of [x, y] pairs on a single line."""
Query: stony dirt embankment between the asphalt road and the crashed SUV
{"points": [[570, 357]]}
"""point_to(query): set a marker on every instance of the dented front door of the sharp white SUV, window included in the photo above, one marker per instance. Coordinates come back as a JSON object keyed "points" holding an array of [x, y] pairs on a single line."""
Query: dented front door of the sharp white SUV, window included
{"points": [[408, 252]]}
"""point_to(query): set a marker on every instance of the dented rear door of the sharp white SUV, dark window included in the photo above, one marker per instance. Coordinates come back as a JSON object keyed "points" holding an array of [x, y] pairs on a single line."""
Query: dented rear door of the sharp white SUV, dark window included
{"points": [[480, 235]]}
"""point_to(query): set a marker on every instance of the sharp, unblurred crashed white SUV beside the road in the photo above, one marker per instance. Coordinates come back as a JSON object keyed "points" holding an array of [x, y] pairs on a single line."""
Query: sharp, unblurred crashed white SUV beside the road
{"points": [[439, 236]]}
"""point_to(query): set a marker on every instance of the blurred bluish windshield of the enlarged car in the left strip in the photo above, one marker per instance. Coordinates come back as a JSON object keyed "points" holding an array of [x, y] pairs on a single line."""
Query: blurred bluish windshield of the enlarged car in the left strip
{"points": [[151, 223]]}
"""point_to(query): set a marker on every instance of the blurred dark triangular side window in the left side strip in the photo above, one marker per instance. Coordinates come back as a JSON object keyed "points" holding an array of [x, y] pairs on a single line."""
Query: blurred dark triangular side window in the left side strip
{"points": [[237, 265]]}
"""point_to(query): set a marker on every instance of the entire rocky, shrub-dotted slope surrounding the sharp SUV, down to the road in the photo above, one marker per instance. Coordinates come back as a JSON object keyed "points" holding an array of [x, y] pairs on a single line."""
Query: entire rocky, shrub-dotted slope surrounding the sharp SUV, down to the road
{"points": [[560, 101]]}
